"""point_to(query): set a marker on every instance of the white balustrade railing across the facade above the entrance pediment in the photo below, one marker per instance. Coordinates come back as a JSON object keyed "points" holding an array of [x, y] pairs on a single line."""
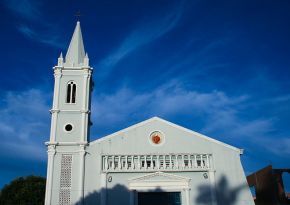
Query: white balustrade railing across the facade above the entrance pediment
{"points": [[167, 162]]}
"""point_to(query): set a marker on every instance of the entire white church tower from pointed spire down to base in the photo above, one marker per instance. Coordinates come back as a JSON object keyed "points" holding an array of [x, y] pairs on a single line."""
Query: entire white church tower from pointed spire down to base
{"points": [[70, 121]]}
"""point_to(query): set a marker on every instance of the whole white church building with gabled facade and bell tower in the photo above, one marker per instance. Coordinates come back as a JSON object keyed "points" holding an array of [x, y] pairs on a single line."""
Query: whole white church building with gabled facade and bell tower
{"points": [[154, 162]]}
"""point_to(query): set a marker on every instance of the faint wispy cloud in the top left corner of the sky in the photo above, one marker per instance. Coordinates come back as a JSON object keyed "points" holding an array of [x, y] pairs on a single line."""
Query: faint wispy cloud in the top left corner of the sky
{"points": [[28, 9]]}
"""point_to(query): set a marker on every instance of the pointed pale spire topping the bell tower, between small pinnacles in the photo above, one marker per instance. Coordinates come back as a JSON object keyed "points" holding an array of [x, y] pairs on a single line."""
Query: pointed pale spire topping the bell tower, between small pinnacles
{"points": [[76, 52]]}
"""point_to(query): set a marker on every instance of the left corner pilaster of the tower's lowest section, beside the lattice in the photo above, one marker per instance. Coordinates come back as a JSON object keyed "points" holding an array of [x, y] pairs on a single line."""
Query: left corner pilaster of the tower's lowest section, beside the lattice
{"points": [[50, 164]]}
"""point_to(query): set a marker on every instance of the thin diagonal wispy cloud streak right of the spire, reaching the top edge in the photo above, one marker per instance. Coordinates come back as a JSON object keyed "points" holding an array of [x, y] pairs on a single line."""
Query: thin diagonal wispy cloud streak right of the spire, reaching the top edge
{"points": [[147, 32]]}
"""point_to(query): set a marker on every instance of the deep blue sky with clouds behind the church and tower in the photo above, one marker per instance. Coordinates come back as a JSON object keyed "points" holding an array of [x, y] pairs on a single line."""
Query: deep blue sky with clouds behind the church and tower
{"points": [[221, 68]]}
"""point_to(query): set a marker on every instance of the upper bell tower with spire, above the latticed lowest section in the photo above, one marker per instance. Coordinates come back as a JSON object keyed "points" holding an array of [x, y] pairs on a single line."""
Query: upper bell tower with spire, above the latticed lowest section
{"points": [[72, 88]]}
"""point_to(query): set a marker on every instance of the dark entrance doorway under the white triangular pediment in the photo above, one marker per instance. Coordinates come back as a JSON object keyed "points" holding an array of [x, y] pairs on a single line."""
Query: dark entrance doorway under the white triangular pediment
{"points": [[159, 198]]}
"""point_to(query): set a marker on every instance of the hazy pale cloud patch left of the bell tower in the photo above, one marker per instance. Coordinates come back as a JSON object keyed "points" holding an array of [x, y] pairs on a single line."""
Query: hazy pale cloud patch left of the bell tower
{"points": [[24, 124]]}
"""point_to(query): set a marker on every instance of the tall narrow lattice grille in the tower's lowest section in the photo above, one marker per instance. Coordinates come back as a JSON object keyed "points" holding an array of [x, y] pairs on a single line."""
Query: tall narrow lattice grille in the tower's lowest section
{"points": [[65, 179]]}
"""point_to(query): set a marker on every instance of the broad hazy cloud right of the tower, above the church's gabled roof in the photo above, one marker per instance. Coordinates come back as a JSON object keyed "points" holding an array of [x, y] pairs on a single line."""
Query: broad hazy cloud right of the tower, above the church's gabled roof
{"points": [[169, 100]]}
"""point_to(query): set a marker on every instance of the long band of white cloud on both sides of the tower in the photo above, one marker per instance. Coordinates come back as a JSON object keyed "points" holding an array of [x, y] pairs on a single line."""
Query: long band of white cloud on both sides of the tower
{"points": [[25, 121]]}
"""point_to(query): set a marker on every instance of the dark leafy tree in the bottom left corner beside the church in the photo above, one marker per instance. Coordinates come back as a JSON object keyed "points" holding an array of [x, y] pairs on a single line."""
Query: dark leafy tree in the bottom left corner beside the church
{"points": [[23, 191]]}
